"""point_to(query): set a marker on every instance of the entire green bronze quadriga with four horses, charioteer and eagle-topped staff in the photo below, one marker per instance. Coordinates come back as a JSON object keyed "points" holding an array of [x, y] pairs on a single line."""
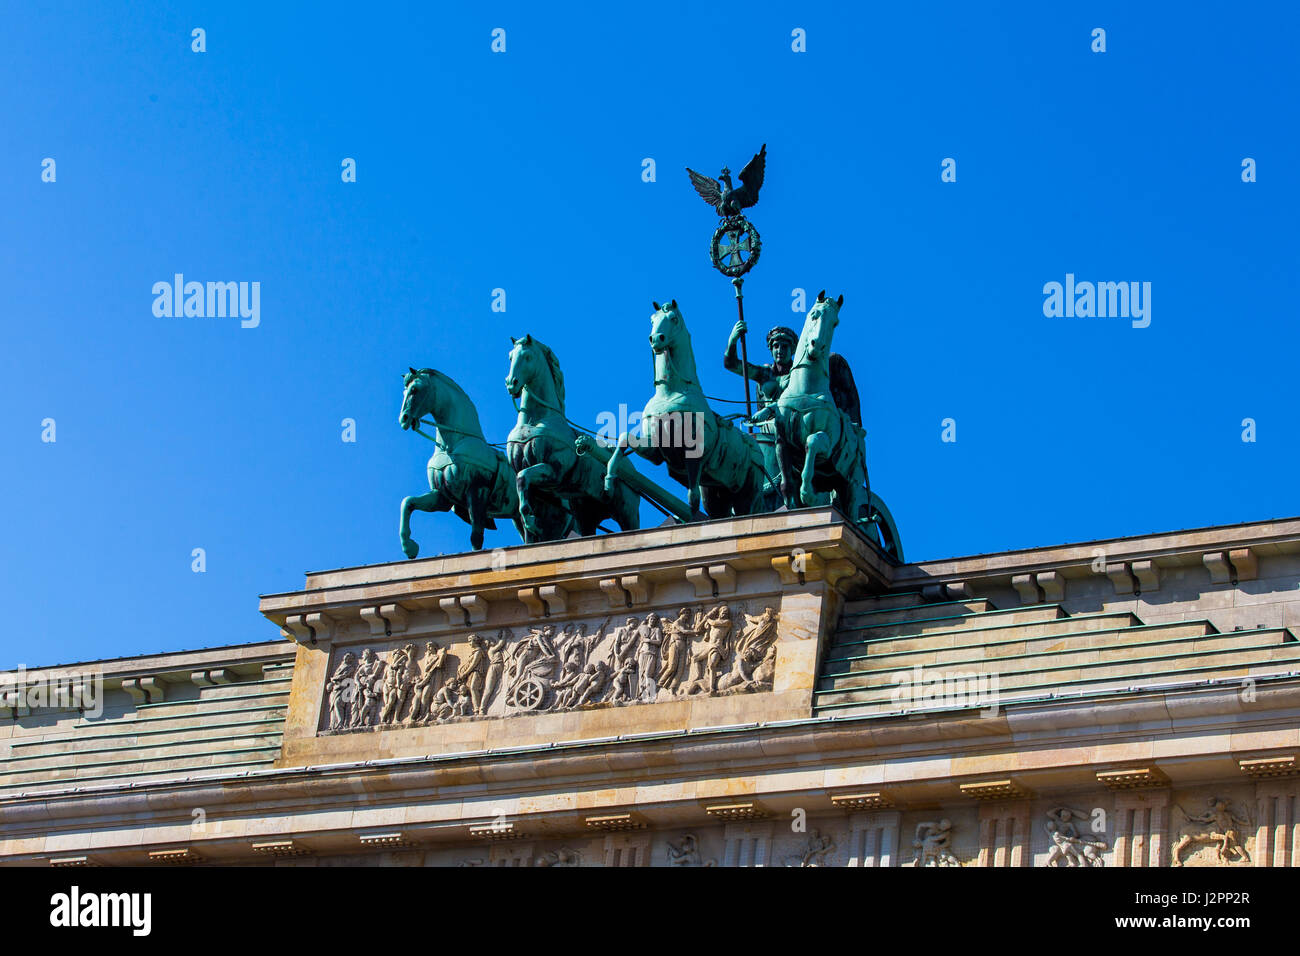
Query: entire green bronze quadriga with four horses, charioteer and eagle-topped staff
{"points": [[811, 449]]}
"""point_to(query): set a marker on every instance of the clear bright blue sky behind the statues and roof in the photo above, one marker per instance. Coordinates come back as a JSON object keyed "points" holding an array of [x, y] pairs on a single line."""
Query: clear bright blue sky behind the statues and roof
{"points": [[523, 171]]}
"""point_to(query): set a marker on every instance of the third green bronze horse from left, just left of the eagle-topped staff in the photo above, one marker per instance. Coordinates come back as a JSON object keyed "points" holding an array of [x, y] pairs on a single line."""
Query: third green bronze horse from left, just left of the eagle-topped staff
{"points": [[721, 466]]}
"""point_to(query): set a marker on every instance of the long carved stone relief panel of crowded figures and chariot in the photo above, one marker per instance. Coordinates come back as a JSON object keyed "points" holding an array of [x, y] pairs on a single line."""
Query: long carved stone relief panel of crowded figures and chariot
{"points": [[554, 668]]}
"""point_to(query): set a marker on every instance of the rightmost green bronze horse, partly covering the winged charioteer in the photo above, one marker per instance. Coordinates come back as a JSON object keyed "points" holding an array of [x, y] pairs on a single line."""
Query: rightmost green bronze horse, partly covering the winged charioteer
{"points": [[821, 444]]}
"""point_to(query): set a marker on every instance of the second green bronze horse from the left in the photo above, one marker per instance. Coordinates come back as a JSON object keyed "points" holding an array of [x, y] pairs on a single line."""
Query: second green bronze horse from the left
{"points": [[560, 491]]}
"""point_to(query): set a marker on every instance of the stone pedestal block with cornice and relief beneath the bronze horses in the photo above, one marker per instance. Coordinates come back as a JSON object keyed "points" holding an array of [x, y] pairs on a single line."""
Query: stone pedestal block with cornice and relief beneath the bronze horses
{"points": [[530, 639]]}
